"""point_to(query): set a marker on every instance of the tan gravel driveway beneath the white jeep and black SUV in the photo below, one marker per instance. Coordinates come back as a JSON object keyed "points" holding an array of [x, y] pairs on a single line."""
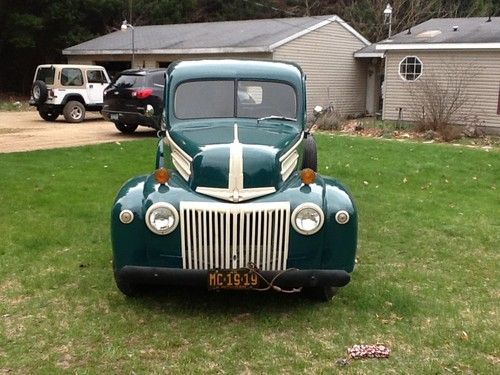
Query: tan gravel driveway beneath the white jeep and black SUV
{"points": [[26, 131]]}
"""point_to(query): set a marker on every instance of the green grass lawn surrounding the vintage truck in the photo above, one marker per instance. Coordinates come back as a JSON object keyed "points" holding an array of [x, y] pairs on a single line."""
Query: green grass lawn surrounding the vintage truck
{"points": [[426, 284]]}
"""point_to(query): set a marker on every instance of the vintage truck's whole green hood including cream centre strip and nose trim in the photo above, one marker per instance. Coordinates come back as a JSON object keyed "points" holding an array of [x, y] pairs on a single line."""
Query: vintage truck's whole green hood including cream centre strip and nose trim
{"points": [[235, 162]]}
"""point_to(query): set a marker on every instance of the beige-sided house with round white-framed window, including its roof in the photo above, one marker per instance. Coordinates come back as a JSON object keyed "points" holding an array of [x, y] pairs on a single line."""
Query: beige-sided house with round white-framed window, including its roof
{"points": [[444, 54]]}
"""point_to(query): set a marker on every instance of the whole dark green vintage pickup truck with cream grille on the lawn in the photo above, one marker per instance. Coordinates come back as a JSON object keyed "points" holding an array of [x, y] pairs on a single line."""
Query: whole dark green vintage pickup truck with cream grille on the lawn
{"points": [[243, 207]]}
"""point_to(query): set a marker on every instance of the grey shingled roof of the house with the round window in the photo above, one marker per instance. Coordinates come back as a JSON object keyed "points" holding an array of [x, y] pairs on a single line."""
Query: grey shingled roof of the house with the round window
{"points": [[448, 33]]}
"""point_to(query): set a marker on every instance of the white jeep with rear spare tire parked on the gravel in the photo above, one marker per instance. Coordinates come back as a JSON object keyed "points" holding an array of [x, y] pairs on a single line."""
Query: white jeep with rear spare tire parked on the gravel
{"points": [[69, 90]]}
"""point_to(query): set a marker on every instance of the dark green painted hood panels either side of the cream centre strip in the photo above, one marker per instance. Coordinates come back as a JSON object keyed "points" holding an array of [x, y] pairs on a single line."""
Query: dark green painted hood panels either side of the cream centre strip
{"points": [[208, 143]]}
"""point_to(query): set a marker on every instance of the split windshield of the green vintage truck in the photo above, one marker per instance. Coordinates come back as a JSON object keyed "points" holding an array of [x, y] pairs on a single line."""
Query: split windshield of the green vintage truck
{"points": [[230, 98]]}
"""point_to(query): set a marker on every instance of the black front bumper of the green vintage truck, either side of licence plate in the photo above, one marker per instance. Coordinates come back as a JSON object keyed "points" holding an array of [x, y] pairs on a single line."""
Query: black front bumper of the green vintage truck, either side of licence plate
{"points": [[291, 278]]}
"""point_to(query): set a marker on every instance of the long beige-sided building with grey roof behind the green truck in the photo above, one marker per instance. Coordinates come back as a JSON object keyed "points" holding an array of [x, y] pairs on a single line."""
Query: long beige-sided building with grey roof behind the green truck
{"points": [[323, 46]]}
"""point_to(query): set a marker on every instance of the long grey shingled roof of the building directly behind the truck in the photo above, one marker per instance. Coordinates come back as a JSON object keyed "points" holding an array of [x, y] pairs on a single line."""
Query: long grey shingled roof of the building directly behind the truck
{"points": [[209, 37]]}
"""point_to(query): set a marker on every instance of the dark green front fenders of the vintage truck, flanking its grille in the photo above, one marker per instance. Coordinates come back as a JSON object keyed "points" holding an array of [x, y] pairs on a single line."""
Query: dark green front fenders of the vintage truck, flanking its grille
{"points": [[332, 247]]}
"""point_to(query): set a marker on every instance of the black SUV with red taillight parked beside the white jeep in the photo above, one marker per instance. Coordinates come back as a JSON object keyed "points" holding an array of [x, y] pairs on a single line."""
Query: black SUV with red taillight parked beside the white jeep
{"points": [[135, 97]]}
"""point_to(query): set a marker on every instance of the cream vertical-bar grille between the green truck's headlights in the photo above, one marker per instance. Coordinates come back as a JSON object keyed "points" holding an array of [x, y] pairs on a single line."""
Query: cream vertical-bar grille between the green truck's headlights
{"points": [[230, 236]]}
